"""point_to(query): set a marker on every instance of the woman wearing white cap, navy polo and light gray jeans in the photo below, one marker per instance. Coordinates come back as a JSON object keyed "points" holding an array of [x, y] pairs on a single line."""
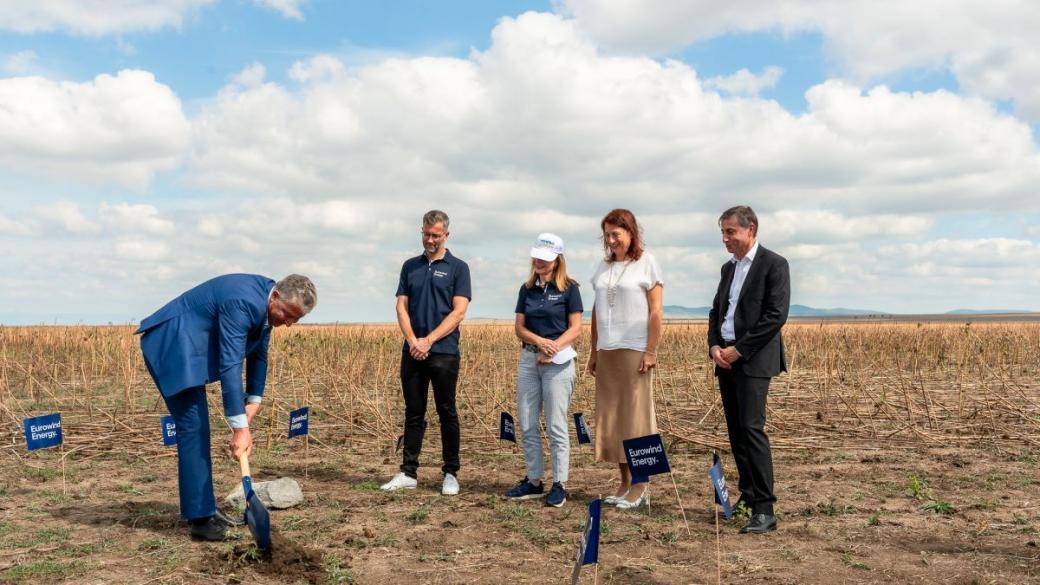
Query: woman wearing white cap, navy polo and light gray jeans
{"points": [[549, 321]]}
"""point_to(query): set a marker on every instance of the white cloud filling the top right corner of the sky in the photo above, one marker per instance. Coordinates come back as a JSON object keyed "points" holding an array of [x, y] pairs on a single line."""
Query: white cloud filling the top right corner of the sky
{"points": [[990, 45]]}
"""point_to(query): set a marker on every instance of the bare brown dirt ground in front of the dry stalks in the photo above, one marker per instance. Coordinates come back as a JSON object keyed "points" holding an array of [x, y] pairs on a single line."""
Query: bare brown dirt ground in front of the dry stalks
{"points": [[856, 516]]}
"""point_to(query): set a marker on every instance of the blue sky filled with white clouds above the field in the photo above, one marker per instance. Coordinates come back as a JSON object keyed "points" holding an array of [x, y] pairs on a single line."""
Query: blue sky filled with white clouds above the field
{"points": [[894, 162]]}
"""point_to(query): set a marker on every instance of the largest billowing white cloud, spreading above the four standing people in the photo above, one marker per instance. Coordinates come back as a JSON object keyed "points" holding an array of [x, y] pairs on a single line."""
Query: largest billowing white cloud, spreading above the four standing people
{"points": [[543, 115]]}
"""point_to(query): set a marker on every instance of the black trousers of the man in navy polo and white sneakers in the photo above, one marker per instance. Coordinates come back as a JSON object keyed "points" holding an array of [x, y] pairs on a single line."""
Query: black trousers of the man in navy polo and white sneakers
{"points": [[417, 377]]}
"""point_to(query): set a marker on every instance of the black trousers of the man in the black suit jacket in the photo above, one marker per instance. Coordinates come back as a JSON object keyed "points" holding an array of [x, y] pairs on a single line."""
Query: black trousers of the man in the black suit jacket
{"points": [[744, 402]]}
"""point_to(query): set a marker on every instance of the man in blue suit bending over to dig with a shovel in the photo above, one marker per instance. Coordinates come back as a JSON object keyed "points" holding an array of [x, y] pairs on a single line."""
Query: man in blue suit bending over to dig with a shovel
{"points": [[204, 337]]}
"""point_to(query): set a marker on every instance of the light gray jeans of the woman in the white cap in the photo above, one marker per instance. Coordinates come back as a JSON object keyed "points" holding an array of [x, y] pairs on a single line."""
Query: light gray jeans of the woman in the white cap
{"points": [[545, 388]]}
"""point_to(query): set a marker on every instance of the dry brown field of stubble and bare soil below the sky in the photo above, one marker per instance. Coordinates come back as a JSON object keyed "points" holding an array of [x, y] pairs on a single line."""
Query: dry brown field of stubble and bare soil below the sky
{"points": [[905, 453]]}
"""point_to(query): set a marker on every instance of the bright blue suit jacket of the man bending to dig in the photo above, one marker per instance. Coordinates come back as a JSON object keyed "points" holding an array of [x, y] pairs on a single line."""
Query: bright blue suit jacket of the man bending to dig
{"points": [[206, 334]]}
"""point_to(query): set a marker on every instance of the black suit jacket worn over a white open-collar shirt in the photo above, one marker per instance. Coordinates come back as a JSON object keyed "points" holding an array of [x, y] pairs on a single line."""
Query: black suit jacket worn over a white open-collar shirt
{"points": [[762, 311]]}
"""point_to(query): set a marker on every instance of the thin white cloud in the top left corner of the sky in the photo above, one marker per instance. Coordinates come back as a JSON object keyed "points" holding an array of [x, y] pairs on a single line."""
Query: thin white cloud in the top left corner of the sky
{"points": [[96, 17]]}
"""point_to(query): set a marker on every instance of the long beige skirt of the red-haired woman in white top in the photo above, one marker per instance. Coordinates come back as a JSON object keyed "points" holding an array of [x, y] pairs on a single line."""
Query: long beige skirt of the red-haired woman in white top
{"points": [[625, 403]]}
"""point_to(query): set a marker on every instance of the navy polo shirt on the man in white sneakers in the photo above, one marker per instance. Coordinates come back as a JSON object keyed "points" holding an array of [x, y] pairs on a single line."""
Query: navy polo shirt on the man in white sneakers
{"points": [[431, 289]]}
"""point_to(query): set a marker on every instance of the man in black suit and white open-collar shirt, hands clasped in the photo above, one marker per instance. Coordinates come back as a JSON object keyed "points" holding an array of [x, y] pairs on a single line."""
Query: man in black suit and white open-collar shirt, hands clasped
{"points": [[744, 336]]}
